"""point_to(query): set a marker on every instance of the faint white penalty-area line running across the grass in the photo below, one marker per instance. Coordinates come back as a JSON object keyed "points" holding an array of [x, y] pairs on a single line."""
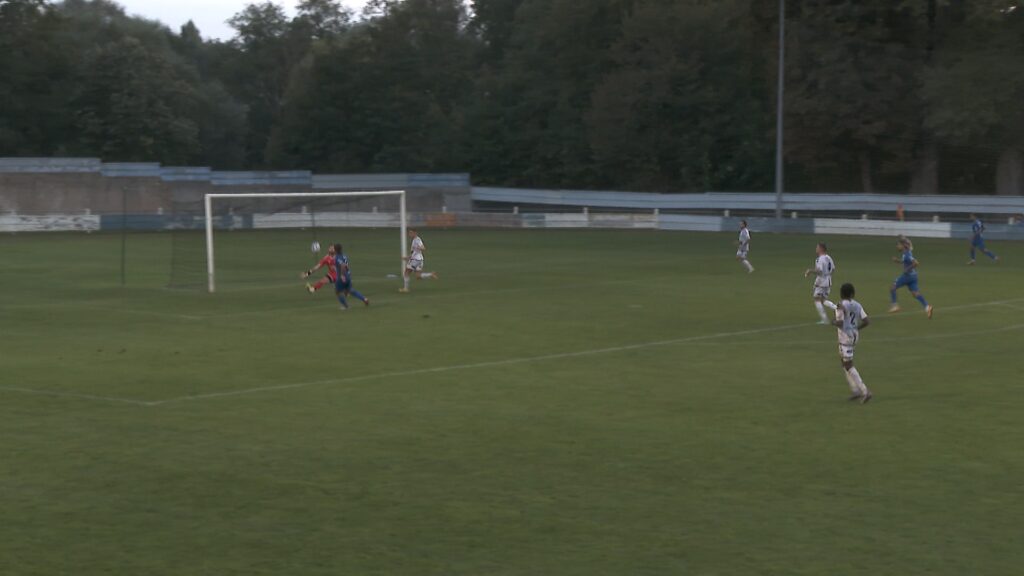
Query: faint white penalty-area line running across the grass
{"points": [[491, 364]]}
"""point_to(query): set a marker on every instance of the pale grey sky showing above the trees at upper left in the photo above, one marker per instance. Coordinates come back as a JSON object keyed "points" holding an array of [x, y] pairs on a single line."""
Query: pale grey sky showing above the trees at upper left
{"points": [[209, 16]]}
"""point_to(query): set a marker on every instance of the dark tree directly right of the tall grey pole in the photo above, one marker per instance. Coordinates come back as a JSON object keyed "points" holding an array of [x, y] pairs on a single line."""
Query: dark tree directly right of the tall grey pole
{"points": [[854, 101]]}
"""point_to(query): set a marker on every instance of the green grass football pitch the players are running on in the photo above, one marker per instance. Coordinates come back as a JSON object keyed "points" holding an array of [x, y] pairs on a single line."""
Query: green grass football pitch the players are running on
{"points": [[612, 425]]}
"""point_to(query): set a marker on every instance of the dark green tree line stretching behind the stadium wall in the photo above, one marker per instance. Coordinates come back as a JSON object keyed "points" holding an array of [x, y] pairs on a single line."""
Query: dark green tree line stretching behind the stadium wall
{"points": [[883, 96]]}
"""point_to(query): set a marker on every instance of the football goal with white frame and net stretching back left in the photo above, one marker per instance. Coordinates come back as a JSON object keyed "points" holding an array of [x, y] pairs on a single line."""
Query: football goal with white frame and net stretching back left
{"points": [[268, 240]]}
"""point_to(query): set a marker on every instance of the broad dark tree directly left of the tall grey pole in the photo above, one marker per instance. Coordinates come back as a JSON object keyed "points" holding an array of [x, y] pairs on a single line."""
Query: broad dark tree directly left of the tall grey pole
{"points": [[674, 115]]}
